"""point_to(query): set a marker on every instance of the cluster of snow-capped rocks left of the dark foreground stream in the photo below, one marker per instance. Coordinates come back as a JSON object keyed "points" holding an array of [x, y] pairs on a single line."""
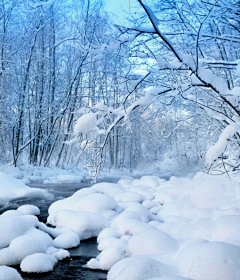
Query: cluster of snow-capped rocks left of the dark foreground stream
{"points": [[23, 238]]}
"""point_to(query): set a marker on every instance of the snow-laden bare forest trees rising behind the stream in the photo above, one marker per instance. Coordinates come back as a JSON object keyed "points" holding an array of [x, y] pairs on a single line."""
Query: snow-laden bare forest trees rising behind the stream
{"points": [[61, 60]]}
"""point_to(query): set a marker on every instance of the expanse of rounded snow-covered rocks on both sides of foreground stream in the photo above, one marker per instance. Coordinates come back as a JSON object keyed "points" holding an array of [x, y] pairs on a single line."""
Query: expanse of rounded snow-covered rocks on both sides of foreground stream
{"points": [[147, 228]]}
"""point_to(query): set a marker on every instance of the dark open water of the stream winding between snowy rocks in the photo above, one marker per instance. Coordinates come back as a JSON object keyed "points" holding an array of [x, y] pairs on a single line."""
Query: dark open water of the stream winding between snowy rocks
{"points": [[71, 268]]}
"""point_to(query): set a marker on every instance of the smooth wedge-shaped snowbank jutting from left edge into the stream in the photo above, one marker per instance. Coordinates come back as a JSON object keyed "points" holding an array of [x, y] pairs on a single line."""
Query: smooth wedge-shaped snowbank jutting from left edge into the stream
{"points": [[12, 188]]}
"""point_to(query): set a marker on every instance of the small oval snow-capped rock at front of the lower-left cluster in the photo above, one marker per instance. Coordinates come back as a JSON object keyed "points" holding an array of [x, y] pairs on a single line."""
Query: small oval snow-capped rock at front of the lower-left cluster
{"points": [[38, 263]]}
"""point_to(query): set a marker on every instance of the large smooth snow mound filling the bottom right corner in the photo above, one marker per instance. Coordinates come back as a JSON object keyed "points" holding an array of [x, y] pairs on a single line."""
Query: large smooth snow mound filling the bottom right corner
{"points": [[209, 261]]}
